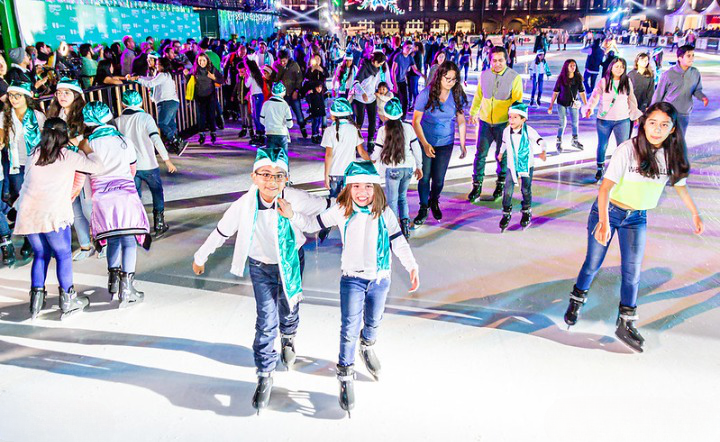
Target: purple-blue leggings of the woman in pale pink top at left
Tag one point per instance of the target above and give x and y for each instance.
(45, 246)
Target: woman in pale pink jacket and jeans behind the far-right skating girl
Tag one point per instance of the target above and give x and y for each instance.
(617, 108)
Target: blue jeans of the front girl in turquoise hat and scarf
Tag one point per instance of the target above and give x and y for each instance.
(362, 301)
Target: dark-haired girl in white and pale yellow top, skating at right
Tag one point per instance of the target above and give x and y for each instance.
(634, 182)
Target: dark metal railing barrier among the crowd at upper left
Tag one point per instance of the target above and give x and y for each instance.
(112, 96)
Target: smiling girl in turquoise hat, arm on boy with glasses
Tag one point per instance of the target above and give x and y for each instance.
(368, 227)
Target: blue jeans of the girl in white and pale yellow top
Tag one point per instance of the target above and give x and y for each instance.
(630, 226)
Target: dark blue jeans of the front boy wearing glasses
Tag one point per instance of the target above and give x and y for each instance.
(273, 311)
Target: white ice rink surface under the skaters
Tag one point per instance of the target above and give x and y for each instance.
(479, 353)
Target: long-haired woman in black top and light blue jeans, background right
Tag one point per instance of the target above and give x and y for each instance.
(568, 90)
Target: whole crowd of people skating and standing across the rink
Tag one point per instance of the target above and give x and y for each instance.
(98, 160)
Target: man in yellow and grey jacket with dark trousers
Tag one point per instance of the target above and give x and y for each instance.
(498, 89)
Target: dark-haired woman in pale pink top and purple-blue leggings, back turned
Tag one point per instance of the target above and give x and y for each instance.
(45, 212)
